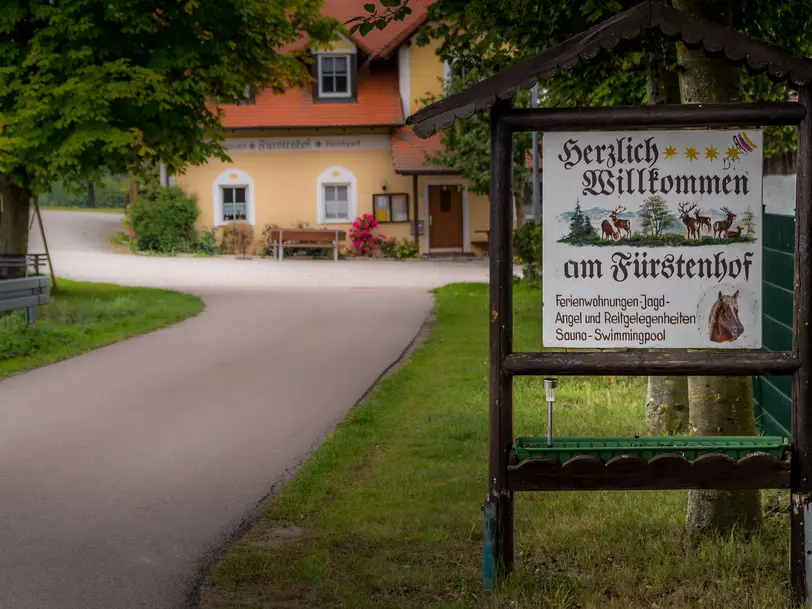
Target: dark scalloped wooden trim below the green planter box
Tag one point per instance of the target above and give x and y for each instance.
(665, 471)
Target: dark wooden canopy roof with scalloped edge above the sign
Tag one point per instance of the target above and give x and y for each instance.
(757, 57)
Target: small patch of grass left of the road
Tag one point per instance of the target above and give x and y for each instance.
(84, 316)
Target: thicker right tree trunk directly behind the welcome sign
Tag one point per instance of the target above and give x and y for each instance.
(719, 406)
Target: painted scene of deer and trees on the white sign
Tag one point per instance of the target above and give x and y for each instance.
(655, 224)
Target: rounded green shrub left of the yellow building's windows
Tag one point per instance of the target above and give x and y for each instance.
(164, 220)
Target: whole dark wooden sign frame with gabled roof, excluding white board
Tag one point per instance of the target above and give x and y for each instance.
(664, 471)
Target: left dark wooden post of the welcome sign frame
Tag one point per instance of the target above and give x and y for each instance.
(501, 339)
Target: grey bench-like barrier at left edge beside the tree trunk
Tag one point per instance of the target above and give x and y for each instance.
(25, 292)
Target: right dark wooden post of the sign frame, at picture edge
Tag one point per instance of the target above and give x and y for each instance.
(801, 480)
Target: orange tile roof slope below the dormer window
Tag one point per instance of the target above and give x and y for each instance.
(378, 104)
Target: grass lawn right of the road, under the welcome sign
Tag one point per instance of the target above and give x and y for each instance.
(386, 513)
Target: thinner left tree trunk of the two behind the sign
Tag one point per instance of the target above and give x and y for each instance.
(667, 399)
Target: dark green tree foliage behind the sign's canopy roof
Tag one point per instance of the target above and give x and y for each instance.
(491, 35)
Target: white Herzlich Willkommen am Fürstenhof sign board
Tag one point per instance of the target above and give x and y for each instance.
(652, 239)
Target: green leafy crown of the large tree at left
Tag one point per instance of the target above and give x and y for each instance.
(90, 87)
